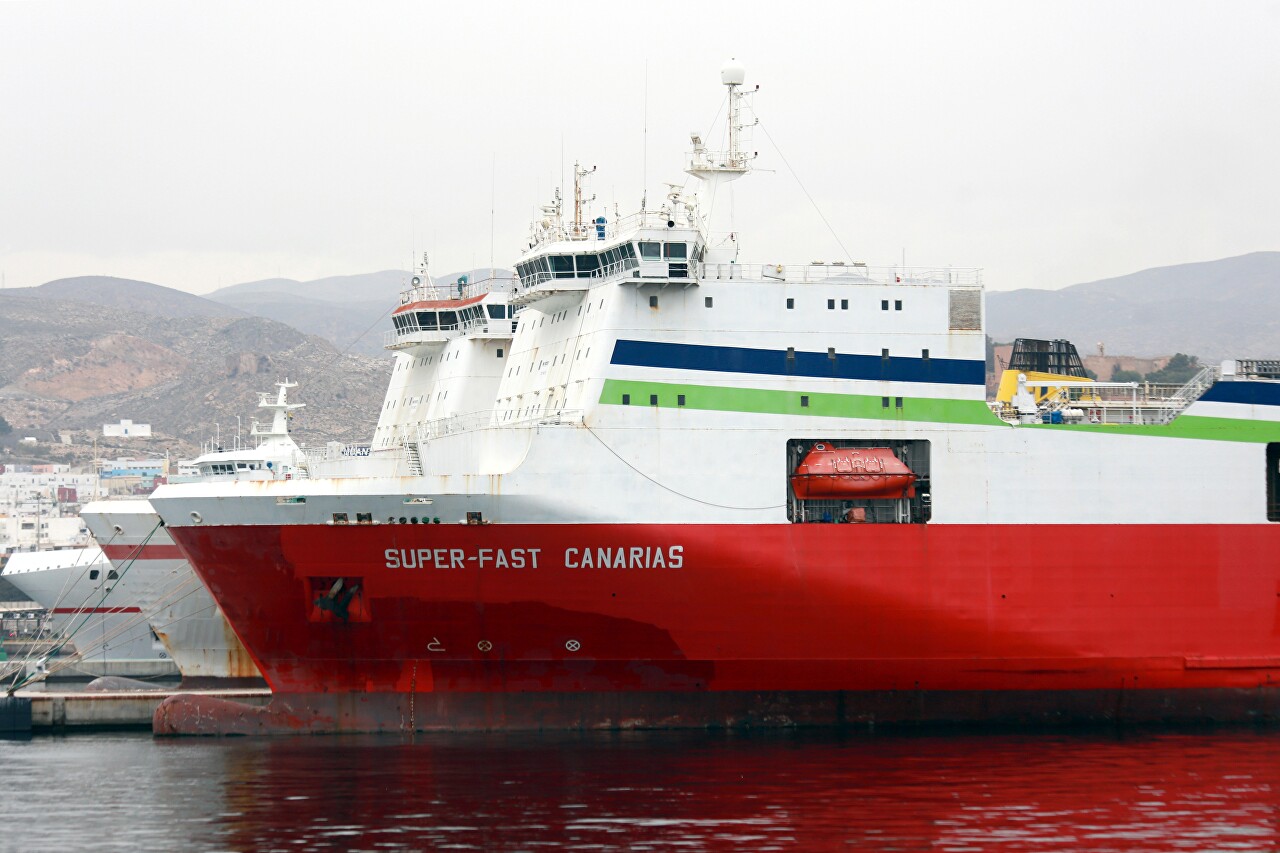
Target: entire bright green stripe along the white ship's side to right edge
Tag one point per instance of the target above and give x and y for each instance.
(915, 409)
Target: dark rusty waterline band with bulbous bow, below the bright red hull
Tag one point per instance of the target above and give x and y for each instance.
(191, 715)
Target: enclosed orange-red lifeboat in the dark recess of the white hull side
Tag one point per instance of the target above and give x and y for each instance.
(830, 472)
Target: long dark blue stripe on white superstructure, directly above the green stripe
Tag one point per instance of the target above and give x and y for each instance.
(775, 363)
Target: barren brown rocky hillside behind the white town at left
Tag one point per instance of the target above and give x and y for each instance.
(72, 364)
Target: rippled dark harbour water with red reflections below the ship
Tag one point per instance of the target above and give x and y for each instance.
(644, 791)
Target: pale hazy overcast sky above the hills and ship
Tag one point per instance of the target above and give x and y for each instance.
(205, 144)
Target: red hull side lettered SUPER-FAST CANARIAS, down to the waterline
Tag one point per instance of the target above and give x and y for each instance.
(715, 624)
